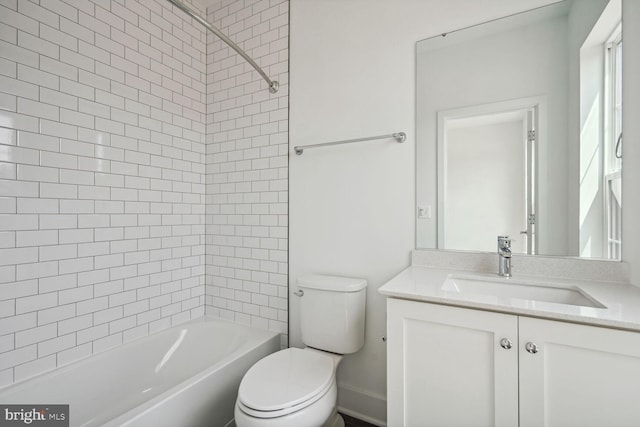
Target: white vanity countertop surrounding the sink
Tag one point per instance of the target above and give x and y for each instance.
(621, 301)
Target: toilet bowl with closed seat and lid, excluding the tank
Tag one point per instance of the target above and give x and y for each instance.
(290, 388)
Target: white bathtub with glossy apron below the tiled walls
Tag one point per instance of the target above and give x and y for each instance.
(184, 376)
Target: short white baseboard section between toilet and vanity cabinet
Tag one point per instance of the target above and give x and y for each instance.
(362, 404)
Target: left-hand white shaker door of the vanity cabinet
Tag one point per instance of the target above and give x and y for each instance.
(446, 367)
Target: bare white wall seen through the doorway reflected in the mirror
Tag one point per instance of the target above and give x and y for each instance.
(485, 186)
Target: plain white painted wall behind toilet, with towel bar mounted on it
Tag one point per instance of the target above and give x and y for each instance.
(352, 207)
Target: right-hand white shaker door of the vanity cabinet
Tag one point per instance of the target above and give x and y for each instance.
(580, 375)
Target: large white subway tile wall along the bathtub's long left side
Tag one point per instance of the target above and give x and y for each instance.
(102, 177)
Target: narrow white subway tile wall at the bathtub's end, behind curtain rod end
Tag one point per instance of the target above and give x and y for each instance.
(247, 166)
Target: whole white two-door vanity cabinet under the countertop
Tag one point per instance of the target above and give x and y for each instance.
(451, 366)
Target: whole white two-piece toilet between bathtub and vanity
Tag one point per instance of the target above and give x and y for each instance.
(297, 387)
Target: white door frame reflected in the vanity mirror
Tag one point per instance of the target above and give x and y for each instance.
(534, 110)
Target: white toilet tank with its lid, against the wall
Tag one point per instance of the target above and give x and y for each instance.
(332, 312)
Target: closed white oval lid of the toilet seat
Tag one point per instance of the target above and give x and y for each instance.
(285, 379)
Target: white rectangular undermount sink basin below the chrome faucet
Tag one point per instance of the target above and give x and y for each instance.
(510, 288)
